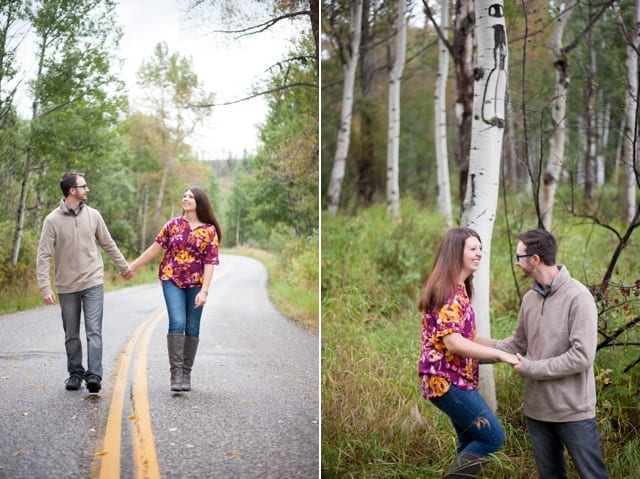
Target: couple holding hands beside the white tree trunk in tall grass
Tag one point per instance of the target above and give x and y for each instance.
(556, 332)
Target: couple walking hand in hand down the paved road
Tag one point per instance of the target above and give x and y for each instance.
(71, 235)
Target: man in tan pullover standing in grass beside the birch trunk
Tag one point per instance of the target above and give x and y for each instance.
(557, 331)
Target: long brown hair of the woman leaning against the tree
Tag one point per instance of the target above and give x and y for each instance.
(443, 279)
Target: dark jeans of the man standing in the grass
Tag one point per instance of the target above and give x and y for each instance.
(581, 439)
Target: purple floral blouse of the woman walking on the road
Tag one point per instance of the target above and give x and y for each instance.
(187, 251)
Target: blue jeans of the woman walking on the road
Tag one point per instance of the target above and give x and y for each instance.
(184, 317)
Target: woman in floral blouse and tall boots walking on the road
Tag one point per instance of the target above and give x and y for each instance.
(191, 244)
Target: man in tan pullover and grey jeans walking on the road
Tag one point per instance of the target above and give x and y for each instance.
(71, 235)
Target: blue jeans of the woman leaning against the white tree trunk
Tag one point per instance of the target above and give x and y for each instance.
(479, 431)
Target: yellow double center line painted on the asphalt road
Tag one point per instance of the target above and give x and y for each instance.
(106, 463)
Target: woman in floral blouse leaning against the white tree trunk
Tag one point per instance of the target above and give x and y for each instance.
(448, 364)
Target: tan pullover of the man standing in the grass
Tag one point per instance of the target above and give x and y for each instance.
(558, 334)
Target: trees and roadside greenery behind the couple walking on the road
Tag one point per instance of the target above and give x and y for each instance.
(138, 162)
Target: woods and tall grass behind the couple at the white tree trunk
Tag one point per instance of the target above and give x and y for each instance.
(374, 262)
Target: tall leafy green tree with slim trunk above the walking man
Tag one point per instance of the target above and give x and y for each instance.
(72, 111)
